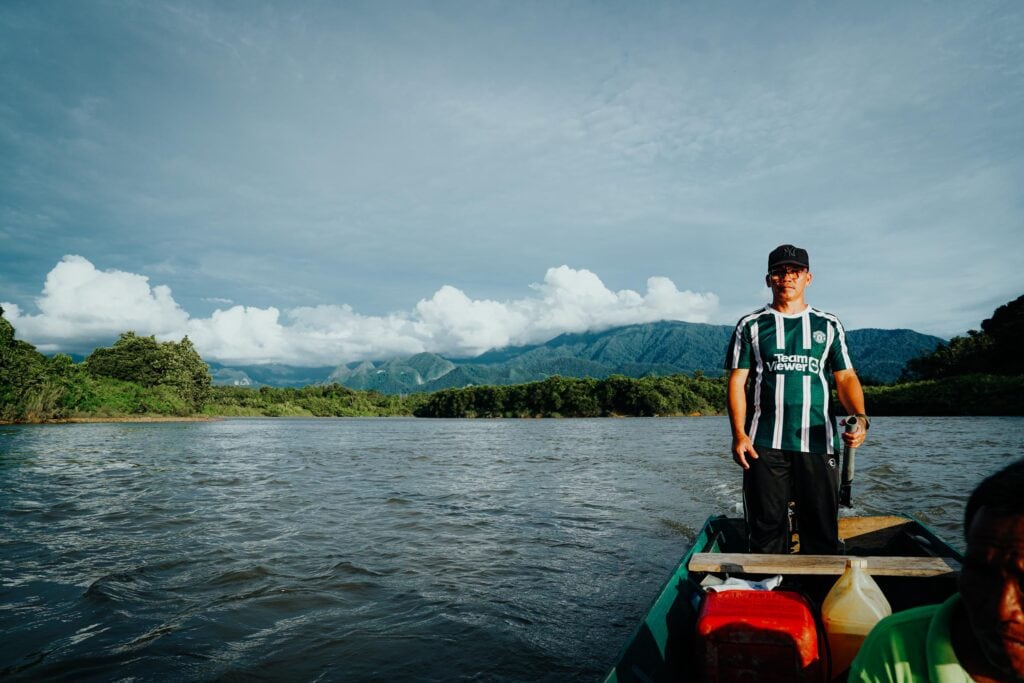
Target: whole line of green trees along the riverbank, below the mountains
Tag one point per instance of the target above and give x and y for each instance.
(976, 374)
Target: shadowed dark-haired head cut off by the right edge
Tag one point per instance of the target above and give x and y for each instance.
(993, 579)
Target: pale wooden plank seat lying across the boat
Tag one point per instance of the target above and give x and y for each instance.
(821, 565)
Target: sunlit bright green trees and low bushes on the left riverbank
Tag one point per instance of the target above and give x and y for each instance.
(140, 377)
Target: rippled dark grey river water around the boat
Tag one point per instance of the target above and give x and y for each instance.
(388, 549)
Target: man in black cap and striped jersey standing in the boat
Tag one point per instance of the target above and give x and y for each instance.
(782, 414)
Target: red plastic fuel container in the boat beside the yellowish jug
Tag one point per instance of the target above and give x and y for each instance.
(758, 636)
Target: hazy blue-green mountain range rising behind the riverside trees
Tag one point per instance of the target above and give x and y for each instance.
(635, 351)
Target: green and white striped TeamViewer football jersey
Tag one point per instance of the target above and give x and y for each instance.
(791, 358)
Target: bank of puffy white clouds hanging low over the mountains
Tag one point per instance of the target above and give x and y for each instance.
(82, 307)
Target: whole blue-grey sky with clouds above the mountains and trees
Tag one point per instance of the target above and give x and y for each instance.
(320, 183)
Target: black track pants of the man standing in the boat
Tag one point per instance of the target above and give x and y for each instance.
(812, 480)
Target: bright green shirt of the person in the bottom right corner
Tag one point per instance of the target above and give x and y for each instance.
(911, 647)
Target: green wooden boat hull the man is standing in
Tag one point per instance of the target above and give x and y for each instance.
(911, 564)
